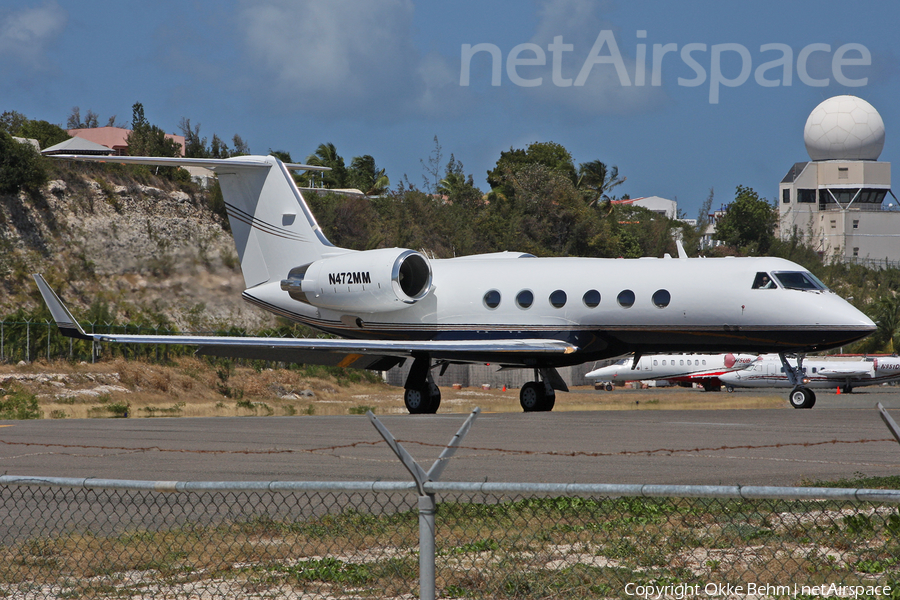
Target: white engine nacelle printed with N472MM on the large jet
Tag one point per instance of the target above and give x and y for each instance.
(370, 281)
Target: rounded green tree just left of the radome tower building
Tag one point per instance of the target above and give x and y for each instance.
(748, 223)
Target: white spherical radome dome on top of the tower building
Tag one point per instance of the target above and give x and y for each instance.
(844, 128)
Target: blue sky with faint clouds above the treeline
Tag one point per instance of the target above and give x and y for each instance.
(383, 77)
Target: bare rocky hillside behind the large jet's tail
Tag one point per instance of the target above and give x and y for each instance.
(122, 244)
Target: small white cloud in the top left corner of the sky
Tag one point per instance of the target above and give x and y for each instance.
(26, 35)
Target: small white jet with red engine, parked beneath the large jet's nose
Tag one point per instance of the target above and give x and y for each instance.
(704, 369)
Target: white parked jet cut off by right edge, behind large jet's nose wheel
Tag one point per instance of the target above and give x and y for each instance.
(768, 372)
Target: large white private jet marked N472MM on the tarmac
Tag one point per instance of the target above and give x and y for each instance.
(510, 309)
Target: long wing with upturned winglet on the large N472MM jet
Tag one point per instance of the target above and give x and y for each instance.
(361, 354)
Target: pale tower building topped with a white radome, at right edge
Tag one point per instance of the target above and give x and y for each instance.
(841, 201)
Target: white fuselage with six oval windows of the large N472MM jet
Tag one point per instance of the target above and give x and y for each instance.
(710, 306)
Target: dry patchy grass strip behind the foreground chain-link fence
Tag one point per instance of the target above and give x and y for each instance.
(570, 547)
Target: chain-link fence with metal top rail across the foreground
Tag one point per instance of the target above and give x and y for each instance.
(65, 538)
